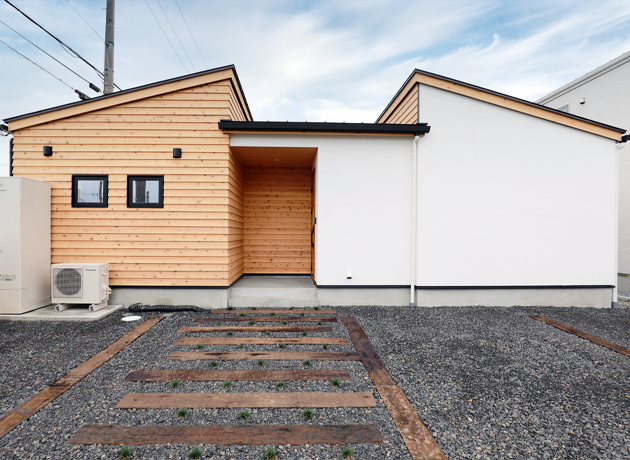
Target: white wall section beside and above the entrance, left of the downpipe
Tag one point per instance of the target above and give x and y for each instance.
(362, 206)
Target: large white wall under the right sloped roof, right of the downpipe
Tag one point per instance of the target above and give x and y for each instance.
(507, 199)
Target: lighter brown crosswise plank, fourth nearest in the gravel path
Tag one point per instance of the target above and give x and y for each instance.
(268, 355)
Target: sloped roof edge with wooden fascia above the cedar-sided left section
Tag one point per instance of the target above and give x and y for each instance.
(133, 94)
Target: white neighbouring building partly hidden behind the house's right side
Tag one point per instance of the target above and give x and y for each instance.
(604, 95)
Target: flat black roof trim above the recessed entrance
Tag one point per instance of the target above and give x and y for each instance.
(324, 127)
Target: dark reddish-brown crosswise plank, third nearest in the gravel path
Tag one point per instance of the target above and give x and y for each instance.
(210, 375)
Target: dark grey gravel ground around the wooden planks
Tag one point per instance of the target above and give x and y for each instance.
(488, 382)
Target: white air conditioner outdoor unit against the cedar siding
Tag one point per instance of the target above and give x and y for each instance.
(73, 284)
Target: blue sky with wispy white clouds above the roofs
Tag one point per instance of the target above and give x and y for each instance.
(318, 60)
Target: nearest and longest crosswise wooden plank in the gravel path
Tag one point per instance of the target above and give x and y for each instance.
(229, 435)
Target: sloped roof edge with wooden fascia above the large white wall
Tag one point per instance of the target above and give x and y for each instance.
(503, 100)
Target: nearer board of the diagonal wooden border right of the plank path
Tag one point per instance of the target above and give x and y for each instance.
(417, 437)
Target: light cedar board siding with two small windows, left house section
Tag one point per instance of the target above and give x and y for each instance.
(195, 239)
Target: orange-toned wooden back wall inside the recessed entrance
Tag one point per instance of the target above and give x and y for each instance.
(277, 223)
